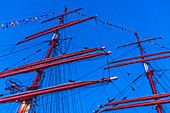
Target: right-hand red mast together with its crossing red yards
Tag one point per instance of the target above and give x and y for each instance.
(149, 74)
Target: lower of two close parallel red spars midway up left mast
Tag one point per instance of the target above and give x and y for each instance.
(52, 64)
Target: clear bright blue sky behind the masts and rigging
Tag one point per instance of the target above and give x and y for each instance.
(150, 18)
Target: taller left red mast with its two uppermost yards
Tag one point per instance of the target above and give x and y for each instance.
(53, 42)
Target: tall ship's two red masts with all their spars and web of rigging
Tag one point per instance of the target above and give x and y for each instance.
(55, 69)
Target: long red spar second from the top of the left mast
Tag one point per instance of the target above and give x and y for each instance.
(55, 29)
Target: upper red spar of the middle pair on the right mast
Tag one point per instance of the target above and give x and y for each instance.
(140, 57)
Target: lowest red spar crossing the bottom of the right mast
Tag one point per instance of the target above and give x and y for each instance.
(136, 105)
